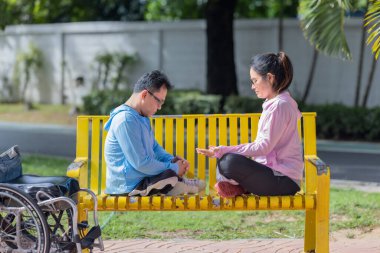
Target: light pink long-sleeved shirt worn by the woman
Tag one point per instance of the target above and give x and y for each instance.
(277, 144)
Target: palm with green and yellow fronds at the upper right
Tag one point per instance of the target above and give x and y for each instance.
(323, 26)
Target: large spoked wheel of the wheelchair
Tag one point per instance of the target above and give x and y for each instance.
(23, 226)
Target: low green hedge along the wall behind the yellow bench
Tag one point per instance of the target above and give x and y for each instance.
(334, 121)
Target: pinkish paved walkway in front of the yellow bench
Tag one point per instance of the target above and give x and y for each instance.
(368, 245)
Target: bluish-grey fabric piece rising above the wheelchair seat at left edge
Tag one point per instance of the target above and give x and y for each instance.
(10, 165)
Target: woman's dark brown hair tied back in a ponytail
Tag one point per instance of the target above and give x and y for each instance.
(278, 65)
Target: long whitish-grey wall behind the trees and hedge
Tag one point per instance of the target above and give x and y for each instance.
(179, 49)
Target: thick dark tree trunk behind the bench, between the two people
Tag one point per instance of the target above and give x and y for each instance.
(221, 74)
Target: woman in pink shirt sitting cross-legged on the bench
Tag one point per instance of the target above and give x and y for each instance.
(272, 164)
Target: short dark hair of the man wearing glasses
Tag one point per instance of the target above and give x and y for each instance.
(152, 81)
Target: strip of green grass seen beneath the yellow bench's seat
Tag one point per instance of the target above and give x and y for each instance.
(202, 225)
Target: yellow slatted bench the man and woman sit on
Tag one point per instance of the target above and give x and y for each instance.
(180, 135)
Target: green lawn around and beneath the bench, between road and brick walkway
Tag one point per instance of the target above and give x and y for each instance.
(349, 209)
